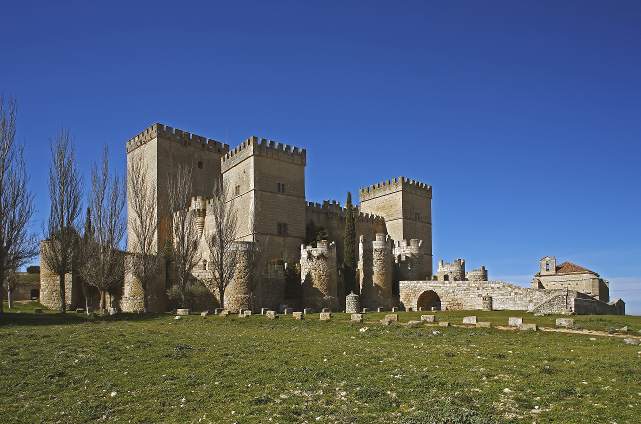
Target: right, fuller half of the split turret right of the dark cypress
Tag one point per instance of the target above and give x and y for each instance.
(382, 273)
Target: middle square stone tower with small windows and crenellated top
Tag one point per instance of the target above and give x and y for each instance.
(266, 182)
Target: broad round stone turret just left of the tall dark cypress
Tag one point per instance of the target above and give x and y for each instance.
(319, 275)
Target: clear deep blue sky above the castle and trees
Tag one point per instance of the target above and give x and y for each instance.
(525, 116)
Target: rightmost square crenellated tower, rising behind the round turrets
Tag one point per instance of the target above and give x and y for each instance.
(406, 206)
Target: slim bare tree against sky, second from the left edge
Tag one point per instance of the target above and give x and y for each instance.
(65, 194)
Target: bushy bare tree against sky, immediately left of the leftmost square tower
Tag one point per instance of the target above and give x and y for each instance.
(103, 265)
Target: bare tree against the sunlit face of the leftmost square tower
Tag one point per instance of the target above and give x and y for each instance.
(143, 225)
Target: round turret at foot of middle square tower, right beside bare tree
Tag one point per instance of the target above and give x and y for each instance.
(238, 294)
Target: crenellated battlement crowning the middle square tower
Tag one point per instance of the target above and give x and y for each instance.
(254, 146)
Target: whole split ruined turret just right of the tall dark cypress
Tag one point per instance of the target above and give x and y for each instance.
(376, 272)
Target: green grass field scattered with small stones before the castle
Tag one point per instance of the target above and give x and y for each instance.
(65, 369)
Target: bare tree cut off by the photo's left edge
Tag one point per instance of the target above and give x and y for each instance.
(17, 244)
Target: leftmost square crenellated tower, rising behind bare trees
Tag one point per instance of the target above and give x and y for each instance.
(163, 149)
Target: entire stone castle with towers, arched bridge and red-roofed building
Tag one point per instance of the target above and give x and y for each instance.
(393, 221)
